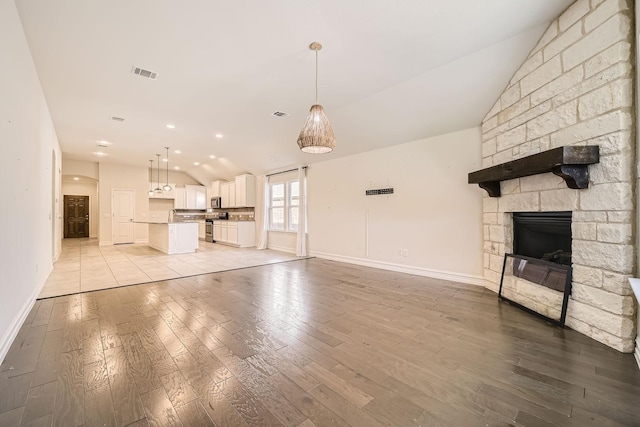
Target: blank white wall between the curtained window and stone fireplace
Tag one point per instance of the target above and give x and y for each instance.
(433, 214)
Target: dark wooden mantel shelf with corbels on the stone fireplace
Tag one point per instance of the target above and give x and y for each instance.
(569, 162)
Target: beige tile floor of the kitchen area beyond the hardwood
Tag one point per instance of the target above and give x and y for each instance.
(84, 266)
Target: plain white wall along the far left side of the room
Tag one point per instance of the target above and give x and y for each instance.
(30, 218)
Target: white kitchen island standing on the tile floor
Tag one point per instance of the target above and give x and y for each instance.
(174, 237)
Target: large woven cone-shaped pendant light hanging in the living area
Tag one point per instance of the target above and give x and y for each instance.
(316, 136)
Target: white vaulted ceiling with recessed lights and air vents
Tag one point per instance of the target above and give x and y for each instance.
(389, 72)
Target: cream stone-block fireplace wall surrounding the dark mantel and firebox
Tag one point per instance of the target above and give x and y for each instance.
(574, 89)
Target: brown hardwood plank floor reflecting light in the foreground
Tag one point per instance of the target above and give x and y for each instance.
(304, 343)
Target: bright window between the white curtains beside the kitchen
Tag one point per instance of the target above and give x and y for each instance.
(284, 206)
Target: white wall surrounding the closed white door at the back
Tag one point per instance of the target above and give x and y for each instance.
(122, 177)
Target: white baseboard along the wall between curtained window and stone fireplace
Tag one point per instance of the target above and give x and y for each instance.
(400, 268)
